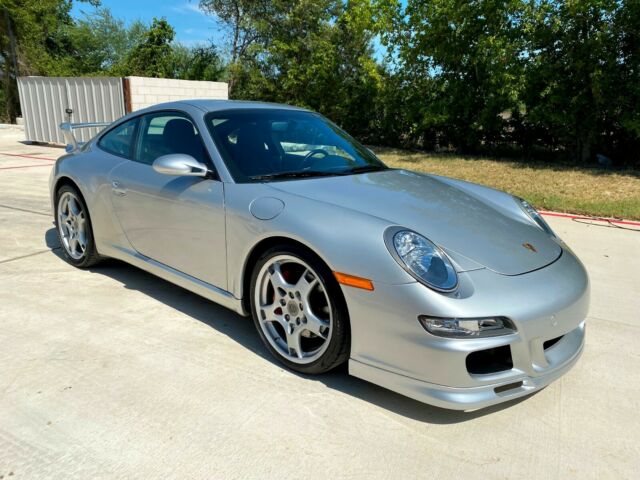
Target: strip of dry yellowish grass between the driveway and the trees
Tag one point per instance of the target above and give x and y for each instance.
(589, 191)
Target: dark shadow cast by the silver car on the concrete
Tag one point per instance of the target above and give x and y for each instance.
(242, 330)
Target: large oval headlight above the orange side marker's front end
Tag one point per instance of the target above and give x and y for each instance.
(422, 259)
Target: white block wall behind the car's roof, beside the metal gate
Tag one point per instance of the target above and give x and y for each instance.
(150, 91)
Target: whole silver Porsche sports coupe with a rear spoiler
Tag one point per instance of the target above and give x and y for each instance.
(448, 292)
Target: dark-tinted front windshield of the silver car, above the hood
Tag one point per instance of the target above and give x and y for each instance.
(275, 144)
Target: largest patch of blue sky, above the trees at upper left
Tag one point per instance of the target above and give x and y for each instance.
(191, 25)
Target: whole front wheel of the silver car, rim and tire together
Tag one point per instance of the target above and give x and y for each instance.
(299, 310)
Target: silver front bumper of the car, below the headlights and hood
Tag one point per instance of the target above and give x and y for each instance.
(390, 348)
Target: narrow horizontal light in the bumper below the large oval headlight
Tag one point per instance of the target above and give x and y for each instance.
(467, 327)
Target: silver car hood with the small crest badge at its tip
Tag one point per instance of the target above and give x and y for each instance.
(447, 215)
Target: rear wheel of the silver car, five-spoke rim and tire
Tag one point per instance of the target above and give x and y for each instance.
(73, 226)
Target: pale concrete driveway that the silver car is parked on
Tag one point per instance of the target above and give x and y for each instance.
(114, 373)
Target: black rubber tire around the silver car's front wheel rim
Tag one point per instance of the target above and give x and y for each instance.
(337, 351)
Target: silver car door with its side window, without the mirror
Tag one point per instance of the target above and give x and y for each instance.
(175, 220)
